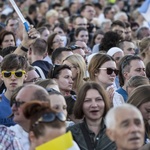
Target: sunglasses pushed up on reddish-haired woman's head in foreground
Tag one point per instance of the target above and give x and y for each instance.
(50, 117)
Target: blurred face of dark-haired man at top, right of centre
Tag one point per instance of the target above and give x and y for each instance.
(89, 13)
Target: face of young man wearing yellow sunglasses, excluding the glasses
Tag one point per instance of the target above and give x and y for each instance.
(13, 81)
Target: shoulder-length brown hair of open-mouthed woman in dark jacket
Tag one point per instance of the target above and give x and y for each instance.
(78, 108)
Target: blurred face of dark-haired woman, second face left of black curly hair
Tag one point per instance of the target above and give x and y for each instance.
(83, 36)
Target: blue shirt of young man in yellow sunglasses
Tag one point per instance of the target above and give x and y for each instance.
(5, 112)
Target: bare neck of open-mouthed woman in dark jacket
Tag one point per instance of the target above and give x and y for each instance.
(94, 125)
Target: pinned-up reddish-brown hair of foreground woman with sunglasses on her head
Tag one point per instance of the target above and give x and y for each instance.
(34, 110)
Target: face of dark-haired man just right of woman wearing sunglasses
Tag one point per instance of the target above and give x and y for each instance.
(137, 68)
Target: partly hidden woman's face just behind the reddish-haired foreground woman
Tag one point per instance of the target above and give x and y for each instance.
(58, 102)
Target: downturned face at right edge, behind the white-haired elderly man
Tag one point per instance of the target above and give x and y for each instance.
(145, 110)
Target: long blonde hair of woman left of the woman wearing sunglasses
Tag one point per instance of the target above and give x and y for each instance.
(77, 61)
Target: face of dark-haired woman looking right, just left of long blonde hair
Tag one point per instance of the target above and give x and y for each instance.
(64, 80)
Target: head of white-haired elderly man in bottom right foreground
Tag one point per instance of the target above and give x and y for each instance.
(125, 127)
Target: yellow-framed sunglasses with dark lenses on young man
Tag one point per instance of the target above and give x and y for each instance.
(18, 74)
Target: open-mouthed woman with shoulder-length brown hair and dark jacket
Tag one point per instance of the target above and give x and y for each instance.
(91, 106)
